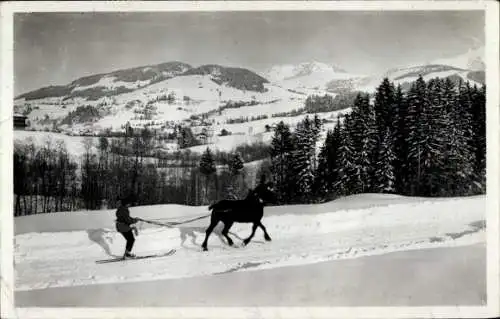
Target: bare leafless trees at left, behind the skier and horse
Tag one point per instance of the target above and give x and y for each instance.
(47, 179)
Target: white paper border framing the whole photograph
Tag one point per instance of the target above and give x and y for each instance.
(8, 309)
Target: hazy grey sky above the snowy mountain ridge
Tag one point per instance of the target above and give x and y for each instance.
(57, 48)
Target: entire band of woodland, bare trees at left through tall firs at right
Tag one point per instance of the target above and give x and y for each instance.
(427, 141)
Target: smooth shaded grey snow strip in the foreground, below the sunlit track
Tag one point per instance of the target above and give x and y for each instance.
(366, 281)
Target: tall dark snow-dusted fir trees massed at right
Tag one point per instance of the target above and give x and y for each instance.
(429, 141)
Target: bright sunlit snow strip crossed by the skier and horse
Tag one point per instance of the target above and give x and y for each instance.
(58, 259)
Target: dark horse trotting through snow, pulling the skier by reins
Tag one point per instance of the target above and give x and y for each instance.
(248, 210)
